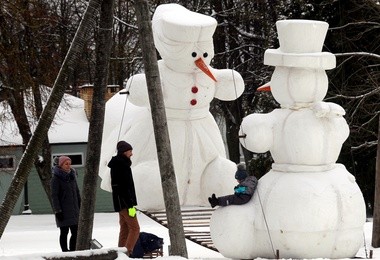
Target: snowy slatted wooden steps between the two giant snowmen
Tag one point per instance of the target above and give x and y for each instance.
(196, 224)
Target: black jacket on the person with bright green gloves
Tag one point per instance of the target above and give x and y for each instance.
(123, 187)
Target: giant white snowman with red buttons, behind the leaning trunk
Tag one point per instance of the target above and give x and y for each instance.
(184, 41)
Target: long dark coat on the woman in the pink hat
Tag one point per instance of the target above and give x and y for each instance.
(65, 196)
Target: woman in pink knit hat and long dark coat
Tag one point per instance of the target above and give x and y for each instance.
(66, 201)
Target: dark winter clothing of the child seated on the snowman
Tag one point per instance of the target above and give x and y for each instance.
(242, 193)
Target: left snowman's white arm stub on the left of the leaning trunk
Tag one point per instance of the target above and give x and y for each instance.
(138, 91)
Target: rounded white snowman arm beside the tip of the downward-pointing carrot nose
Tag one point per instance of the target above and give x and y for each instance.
(229, 85)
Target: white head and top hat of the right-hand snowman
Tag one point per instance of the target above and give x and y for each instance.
(299, 79)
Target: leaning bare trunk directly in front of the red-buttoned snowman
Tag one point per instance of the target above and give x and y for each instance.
(165, 160)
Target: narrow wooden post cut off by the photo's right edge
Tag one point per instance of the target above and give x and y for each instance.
(376, 208)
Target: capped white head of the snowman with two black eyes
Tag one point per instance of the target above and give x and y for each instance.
(183, 37)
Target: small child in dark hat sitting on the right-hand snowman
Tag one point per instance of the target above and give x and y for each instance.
(242, 192)
